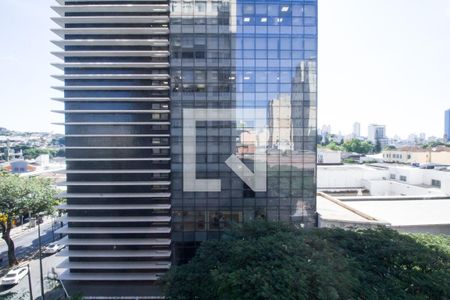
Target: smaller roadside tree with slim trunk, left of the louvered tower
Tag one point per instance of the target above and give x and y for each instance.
(19, 196)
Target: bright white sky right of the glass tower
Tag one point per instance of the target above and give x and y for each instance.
(384, 62)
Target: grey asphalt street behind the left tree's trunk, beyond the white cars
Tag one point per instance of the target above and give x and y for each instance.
(27, 243)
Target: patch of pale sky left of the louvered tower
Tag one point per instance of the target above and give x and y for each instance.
(25, 70)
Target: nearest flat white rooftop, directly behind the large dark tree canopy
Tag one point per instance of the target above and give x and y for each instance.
(409, 214)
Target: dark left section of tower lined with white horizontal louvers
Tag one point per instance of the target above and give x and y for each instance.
(114, 60)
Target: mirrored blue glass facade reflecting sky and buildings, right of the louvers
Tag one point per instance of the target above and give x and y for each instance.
(243, 55)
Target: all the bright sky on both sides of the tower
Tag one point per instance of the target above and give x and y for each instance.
(380, 61)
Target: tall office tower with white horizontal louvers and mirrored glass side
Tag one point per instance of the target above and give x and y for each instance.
(181, 117)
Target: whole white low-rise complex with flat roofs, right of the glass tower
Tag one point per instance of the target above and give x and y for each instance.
(404, 198)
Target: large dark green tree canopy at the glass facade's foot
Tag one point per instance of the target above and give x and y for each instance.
(273, 261)
